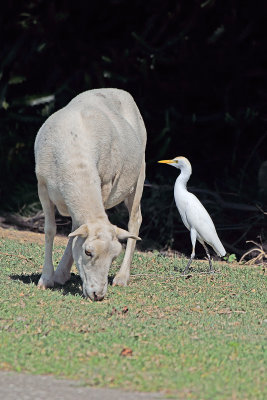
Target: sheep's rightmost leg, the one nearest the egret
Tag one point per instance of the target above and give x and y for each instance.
(135, 220)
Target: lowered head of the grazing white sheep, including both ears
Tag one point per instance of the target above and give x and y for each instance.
(94, 248)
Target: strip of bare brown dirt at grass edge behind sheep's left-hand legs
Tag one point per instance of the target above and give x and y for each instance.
(28, 236)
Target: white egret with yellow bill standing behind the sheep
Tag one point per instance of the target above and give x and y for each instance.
(193, 213)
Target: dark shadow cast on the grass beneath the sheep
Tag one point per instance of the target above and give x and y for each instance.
(73, 286)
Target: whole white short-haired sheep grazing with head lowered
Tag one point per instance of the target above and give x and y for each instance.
(90, 156)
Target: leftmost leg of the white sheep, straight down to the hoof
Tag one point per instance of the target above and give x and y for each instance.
(47, 277)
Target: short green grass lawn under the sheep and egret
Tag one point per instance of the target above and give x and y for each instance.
(196, 338)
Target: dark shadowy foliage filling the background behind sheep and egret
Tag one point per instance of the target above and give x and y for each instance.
(197, 70)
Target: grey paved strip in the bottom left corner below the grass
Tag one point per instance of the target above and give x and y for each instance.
(15, 386)
